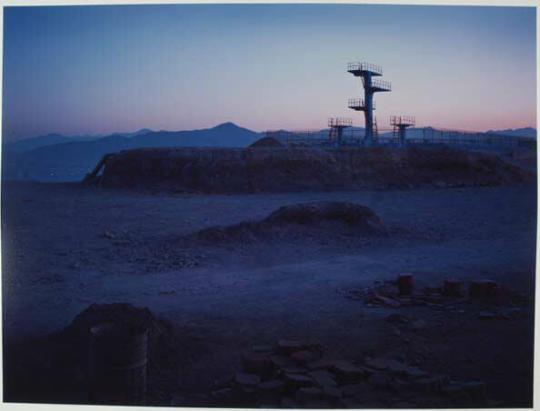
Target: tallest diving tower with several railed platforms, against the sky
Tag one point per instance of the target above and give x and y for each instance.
(367, 71)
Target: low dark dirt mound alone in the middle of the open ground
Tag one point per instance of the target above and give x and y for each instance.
(301, 220)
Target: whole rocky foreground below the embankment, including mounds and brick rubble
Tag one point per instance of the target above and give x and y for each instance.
(222, 281)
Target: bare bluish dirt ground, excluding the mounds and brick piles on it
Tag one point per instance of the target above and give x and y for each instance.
(65, 247)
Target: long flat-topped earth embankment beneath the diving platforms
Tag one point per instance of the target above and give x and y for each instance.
(282, 169)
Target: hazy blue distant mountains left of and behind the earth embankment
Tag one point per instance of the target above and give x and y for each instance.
(70, 160)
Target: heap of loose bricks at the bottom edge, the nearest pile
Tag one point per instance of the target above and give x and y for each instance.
(294, 374)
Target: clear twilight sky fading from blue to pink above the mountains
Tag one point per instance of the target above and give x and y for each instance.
(101, 69)
